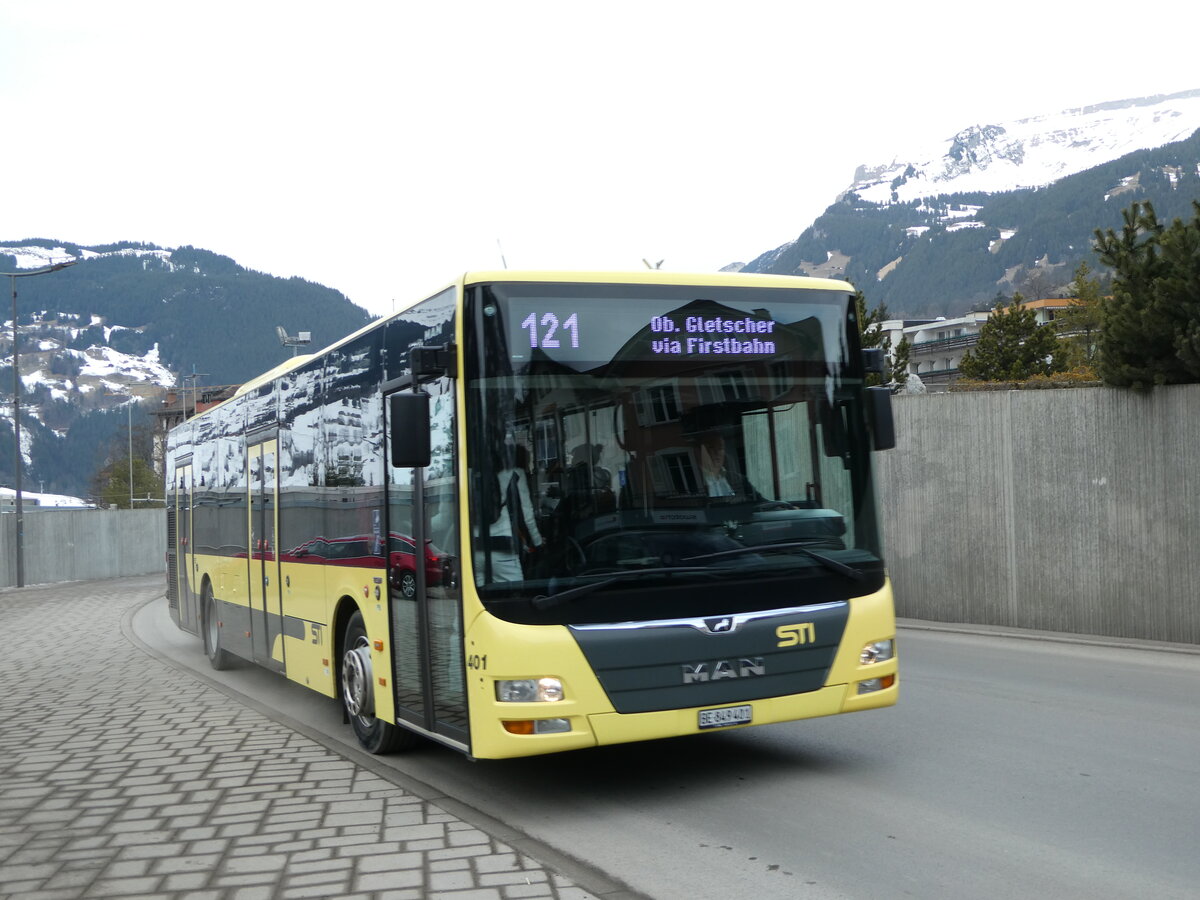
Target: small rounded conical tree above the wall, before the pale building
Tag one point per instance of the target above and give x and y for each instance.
(1013, 347)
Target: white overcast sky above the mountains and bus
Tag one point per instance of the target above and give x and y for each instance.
(385, 148)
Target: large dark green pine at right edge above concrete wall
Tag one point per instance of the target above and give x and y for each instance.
(1151, 325)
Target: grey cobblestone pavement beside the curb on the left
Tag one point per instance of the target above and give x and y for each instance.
(124, 777)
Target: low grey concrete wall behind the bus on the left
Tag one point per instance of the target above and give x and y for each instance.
(75, 545)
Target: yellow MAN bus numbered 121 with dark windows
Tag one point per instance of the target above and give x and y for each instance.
(542, 512)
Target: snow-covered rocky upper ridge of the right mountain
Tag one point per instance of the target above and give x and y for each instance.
(1031, 153)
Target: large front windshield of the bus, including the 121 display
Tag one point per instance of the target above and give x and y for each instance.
(652, 452)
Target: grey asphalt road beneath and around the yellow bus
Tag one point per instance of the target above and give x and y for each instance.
(1011, 769)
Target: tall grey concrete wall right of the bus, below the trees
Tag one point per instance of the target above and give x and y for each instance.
(1069, 511)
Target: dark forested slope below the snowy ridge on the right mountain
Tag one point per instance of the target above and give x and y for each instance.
(957, 253)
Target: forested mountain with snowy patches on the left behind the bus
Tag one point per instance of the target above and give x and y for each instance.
(103, 339)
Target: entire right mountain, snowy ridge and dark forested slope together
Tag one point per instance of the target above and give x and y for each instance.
(1003, 208)
